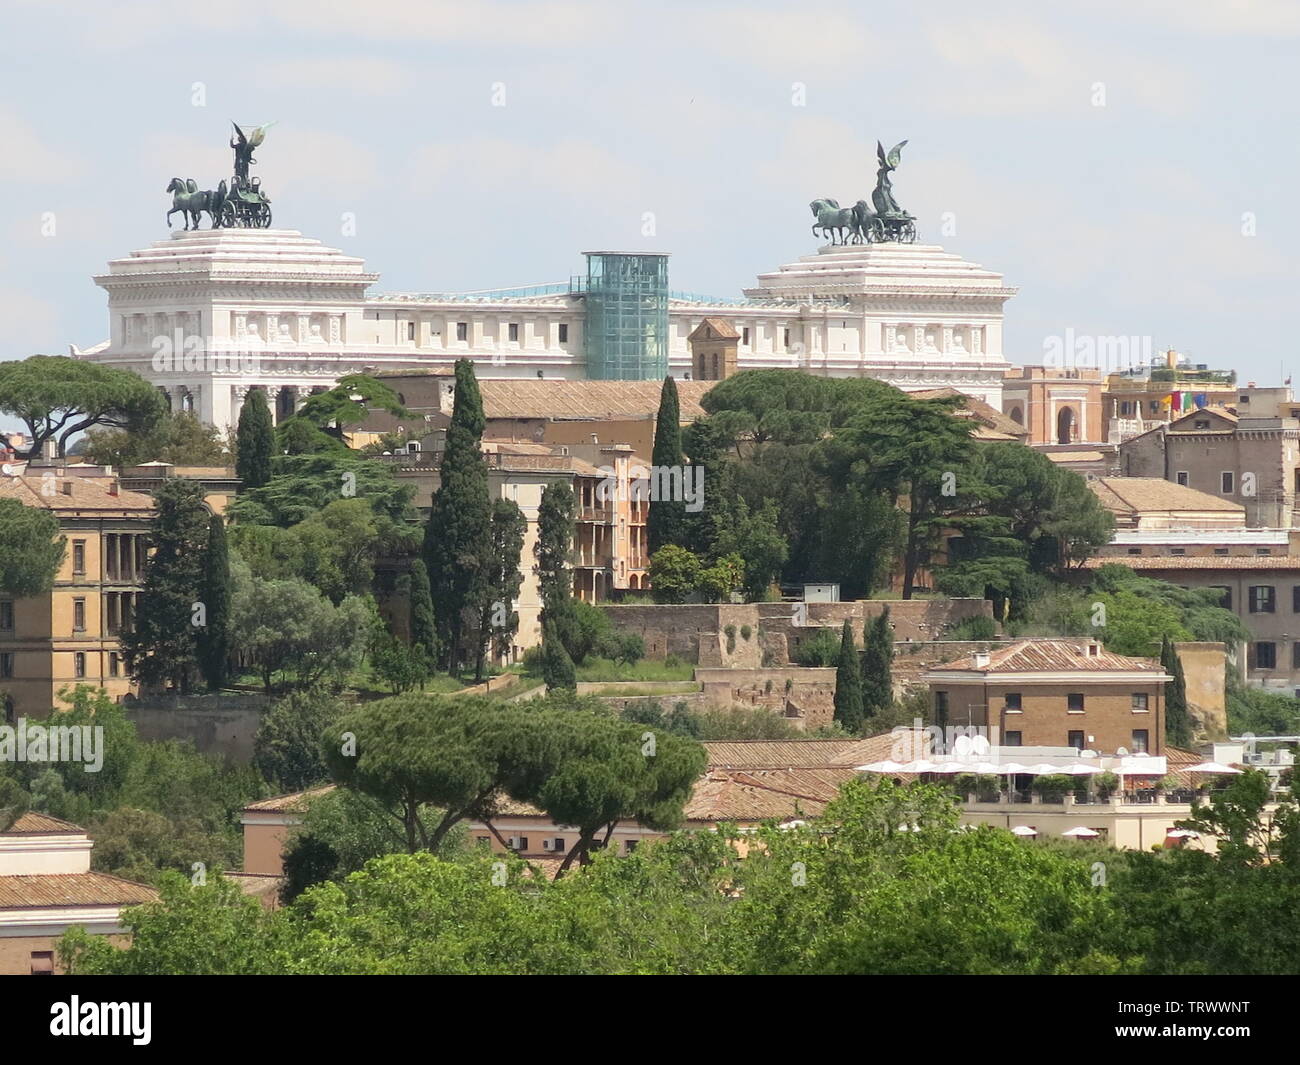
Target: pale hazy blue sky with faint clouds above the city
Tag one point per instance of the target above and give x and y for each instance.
(1117, 219)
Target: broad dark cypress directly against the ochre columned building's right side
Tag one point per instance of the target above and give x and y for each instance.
(163, 647)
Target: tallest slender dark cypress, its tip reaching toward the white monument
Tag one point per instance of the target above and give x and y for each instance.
(458, 539)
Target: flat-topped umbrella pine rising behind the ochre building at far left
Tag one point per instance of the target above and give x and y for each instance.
(58, 397)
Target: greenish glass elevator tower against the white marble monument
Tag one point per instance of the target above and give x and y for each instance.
(626, 335)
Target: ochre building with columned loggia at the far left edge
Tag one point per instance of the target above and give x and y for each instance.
(71, 637)
